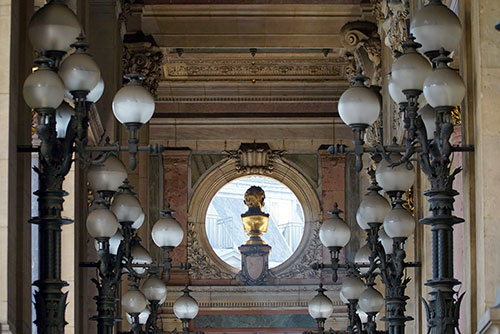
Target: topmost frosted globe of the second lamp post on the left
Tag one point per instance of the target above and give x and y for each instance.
(107, 177)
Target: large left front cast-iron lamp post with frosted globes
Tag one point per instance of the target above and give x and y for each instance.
(62, 131)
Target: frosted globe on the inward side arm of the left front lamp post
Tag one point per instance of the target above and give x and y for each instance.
(133, 104)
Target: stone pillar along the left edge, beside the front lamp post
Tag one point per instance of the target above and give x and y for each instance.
(15, 174)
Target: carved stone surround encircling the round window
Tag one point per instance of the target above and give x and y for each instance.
(208, 265)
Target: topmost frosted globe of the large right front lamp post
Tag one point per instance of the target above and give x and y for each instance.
(435, 26)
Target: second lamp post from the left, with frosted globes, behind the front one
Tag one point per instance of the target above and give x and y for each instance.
(116, 225)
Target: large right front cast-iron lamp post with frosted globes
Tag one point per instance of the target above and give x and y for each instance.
(427, 141)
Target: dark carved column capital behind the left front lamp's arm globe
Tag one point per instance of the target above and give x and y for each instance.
(145, 59)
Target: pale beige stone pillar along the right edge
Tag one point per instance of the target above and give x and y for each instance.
(483, 126)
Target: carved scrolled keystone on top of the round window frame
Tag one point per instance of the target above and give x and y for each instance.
(254, 158)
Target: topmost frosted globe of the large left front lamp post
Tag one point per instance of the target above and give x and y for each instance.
(54, 27)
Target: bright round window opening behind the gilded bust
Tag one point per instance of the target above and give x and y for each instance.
(225, 230)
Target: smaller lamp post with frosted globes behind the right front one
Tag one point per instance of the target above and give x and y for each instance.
(383, 253)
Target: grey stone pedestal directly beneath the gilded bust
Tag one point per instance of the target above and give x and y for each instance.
(254, 264)
